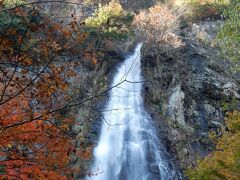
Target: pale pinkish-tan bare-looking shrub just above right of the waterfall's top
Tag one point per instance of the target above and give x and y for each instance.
(159, 25)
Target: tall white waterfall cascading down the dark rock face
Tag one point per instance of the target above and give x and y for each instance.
(128, 147)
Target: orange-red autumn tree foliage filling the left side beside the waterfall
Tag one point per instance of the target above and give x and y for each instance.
(36, 115)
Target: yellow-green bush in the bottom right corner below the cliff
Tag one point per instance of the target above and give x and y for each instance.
(224, 162)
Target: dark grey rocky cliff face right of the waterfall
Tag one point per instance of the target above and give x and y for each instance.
(187, 92)
